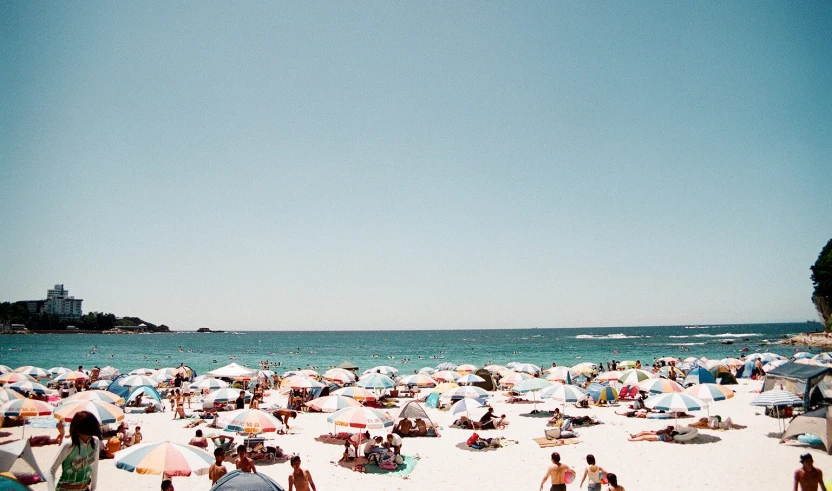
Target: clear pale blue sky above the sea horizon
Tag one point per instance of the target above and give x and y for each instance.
(356, 165)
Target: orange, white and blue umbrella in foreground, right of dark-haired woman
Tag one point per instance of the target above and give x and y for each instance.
(167, 458)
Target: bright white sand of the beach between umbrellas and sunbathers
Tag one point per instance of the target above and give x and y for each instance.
(749, 458)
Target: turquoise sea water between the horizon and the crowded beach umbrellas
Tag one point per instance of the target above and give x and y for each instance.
(405, 350)
